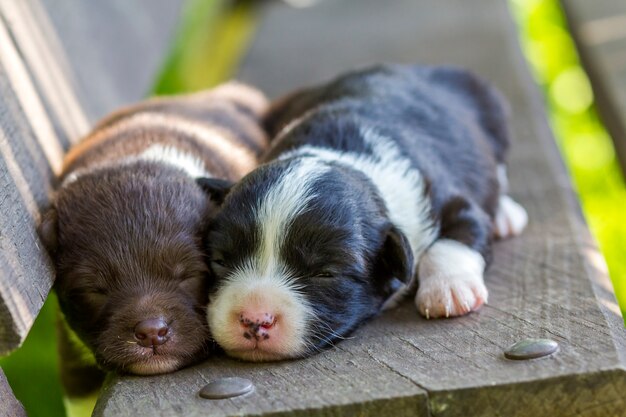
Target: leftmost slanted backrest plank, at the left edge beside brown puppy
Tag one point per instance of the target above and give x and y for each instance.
(25, 176)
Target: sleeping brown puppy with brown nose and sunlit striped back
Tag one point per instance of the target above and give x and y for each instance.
(125, 229)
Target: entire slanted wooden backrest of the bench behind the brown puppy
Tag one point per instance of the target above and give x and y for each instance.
(63, 64)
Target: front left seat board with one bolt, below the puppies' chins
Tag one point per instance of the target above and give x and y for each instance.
(335, 383)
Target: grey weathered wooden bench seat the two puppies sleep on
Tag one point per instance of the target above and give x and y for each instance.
(549, 283)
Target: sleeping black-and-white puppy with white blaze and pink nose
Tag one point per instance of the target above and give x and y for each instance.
(376, 177)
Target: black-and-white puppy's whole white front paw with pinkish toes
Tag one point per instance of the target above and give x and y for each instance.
(450, 280)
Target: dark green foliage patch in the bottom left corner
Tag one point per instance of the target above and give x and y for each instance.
(32, 370)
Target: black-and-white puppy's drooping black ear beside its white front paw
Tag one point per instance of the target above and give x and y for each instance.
(396, 257)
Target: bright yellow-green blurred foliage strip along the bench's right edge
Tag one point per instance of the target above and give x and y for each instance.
(584, 143)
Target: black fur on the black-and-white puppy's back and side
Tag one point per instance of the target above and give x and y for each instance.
(451, 124)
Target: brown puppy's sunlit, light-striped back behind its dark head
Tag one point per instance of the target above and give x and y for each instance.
(219, 129)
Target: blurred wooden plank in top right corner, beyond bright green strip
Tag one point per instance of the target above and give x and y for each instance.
(599, 29)
